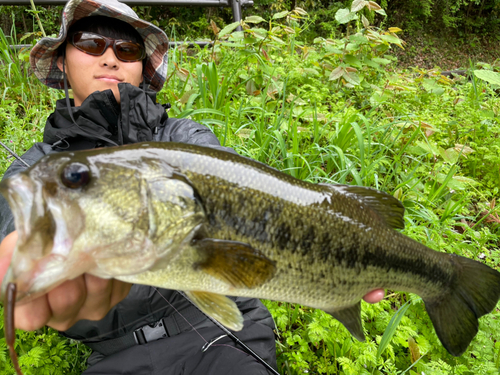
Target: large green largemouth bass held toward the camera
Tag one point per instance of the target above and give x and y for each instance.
(212, 224)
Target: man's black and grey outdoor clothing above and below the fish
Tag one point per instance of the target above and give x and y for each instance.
(101, 121)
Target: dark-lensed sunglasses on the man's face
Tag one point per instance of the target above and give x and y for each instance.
(96, 45)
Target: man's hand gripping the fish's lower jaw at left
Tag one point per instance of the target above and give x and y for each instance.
(85, 297)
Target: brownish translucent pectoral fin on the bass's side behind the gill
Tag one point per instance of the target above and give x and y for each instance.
(235, 263)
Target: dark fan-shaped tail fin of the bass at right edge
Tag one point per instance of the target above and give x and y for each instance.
(454, 315)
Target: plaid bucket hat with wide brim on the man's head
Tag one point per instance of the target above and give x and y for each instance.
(43, 56)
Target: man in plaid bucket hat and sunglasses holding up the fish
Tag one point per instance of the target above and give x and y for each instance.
(114, 63)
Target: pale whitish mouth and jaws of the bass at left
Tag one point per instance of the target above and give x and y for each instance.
(44, 236)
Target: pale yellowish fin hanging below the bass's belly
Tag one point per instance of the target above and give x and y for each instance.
(219, 307)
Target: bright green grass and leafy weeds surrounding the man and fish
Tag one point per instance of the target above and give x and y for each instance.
(321, 96)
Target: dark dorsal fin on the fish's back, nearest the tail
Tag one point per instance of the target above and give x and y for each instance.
(388, 208)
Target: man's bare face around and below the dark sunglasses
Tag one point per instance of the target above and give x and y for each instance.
(87, 73)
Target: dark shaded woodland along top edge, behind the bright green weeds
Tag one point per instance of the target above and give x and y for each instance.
(433, 27)
